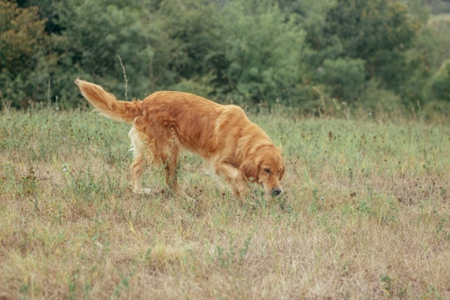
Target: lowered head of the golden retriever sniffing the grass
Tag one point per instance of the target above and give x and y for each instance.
(265, 167)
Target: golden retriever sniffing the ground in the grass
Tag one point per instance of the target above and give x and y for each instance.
(169, 122)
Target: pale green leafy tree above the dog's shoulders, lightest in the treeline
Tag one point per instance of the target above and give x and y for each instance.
(261, 52)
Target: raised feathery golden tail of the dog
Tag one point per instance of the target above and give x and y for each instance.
(107, 105)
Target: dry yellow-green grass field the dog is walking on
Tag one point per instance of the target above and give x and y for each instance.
(366, 215)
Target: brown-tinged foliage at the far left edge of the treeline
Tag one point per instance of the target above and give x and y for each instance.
(25, 55)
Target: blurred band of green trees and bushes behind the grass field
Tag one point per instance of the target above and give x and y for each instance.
(376, 54)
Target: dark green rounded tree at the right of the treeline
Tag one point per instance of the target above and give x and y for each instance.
(376, 31)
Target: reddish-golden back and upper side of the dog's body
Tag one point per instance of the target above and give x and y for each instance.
(196, 122)
